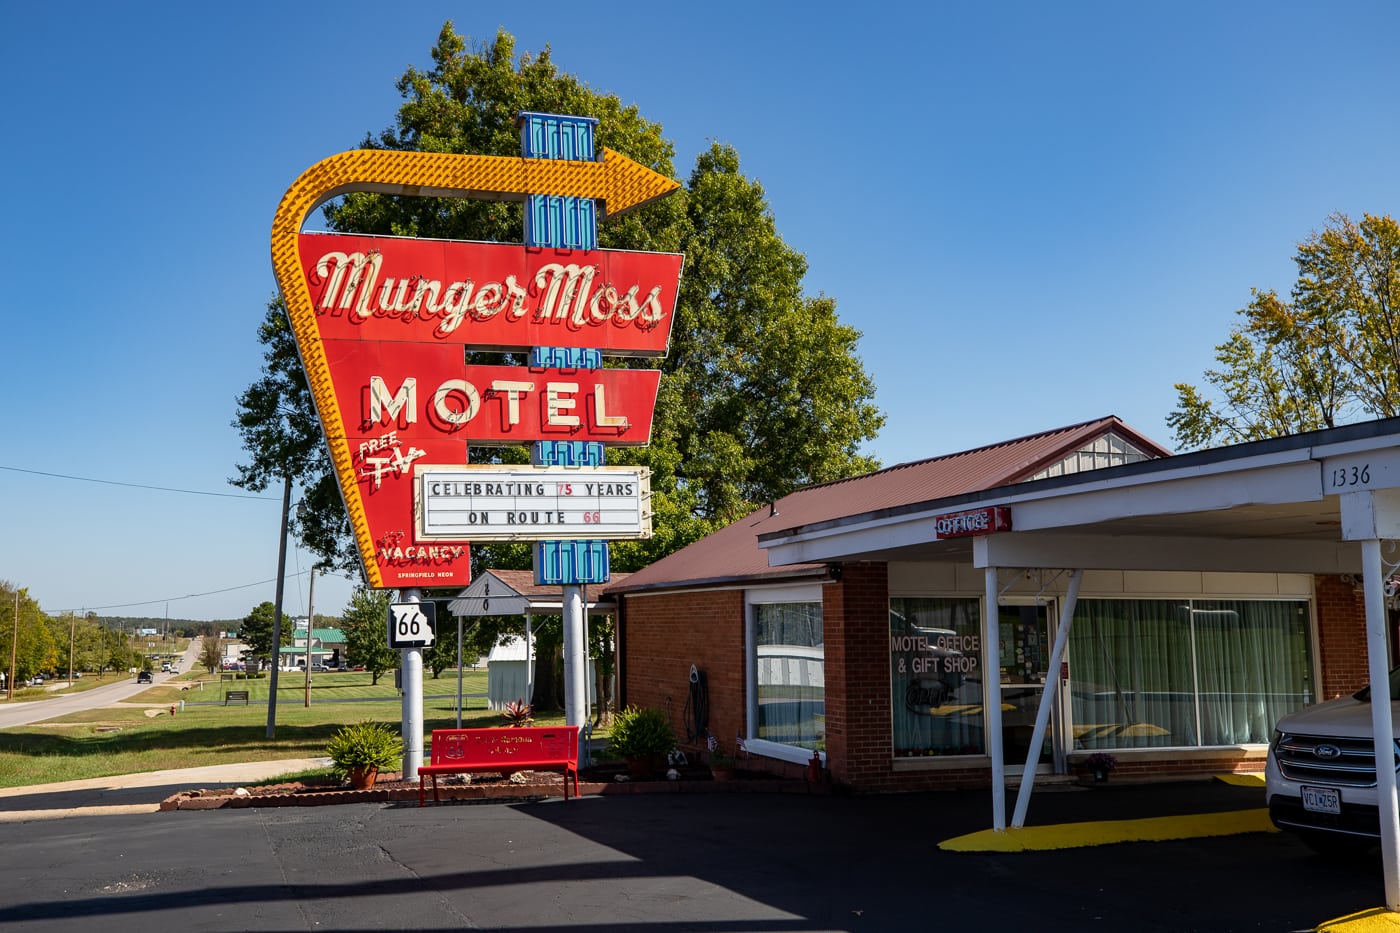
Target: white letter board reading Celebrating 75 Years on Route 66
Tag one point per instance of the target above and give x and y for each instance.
(533, 504)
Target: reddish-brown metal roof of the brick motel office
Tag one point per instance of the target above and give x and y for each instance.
(733, 553)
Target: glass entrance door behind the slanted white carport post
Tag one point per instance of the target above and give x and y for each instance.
(1024, 648)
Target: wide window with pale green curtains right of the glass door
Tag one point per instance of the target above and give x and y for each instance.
(1186, 673)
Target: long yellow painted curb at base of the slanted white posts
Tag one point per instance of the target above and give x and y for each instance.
(1074, 836)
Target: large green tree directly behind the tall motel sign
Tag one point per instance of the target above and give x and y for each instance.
(762, 390)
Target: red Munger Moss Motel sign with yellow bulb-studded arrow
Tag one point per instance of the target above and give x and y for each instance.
(383, 327)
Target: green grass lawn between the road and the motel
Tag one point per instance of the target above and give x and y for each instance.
(129, 739)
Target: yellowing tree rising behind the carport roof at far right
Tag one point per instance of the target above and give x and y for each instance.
(1329, 355)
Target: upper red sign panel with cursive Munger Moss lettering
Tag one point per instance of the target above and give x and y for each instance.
(491, 296)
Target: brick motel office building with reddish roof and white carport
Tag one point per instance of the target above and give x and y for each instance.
(1200, 597)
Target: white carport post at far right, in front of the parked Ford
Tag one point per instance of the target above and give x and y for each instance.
(1381, 718)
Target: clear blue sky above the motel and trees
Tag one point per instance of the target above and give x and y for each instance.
(1037, 215)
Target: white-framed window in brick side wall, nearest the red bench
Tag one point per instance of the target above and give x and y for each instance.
(792, 673)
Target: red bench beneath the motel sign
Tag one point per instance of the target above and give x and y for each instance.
(457, 752)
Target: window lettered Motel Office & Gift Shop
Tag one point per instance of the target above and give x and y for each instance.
(936, 676)
